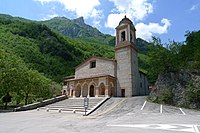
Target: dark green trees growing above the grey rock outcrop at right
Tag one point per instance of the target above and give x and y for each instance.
(175, 56)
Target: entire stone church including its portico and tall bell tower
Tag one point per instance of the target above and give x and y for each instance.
(97, 76)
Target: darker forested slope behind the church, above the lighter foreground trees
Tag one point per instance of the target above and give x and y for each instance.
(46, 51)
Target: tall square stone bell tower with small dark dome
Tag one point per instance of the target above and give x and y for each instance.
(127, 59)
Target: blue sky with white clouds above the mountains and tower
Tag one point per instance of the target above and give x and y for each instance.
(167, 19)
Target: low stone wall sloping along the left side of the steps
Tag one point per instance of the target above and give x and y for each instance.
(41, 104)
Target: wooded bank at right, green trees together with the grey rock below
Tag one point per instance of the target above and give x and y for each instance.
(175, 70)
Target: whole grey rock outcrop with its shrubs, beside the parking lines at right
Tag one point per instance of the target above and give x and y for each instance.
(177, 88)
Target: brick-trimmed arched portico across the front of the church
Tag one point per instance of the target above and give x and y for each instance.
(91, 87)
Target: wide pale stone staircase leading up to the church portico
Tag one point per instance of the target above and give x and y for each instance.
(76, 105)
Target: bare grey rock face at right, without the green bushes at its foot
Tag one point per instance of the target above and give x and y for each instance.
(176, 84)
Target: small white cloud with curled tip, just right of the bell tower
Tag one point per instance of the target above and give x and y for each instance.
(145, 31)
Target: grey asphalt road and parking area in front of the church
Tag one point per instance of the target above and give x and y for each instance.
(117, 115)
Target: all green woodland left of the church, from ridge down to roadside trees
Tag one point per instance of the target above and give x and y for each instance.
(30, 49)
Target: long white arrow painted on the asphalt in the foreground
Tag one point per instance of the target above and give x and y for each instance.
(171, 127)
